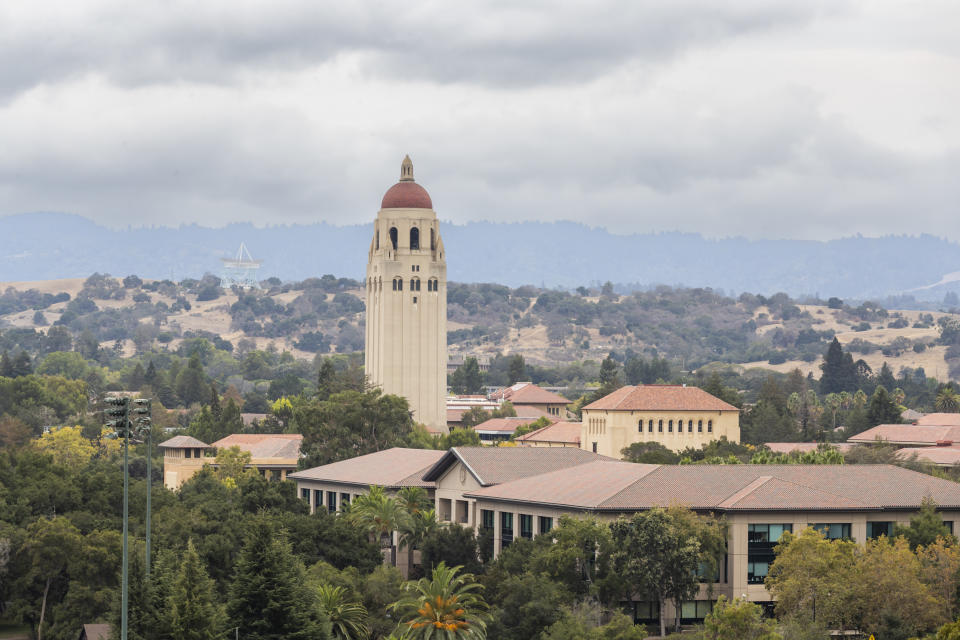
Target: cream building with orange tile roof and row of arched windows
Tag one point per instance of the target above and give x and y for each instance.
(676, 416)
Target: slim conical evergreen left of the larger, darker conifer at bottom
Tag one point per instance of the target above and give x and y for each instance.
(193, 604)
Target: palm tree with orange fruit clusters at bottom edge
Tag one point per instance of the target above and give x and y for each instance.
(446, 606)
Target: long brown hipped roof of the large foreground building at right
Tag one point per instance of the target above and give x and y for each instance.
(623, 486)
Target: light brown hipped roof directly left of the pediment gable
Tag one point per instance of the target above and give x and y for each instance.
(391, 468)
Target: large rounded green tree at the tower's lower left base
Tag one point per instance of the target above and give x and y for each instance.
(350, 424)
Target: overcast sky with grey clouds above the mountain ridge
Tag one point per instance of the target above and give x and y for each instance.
(743, 117)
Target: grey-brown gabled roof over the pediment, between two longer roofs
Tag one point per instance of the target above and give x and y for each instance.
(493, 465)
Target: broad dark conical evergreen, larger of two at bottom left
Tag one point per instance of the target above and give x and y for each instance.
(269, 598)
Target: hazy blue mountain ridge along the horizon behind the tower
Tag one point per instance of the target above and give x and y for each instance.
(40, 246)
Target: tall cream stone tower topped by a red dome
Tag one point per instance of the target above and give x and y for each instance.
(406, 339)
